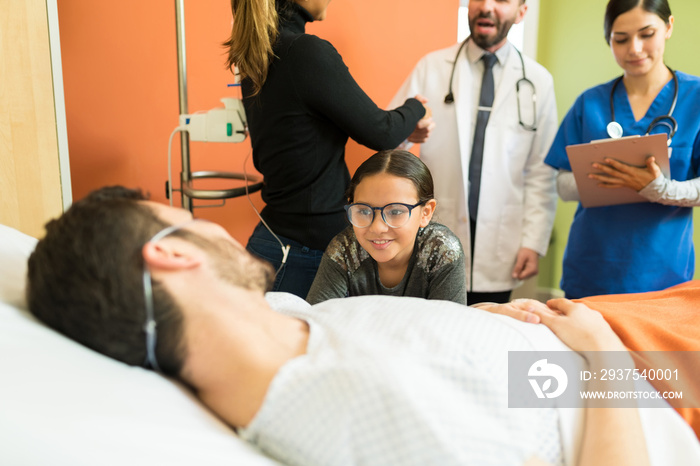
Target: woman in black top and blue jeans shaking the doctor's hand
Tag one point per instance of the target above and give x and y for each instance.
(302, 104)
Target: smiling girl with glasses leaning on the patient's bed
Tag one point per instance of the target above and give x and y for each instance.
(392, 247)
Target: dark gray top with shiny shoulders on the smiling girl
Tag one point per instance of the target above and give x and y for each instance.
(436, 269)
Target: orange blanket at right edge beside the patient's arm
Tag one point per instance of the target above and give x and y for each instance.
(663, 321)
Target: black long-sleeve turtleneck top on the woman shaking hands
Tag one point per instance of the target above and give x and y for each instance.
(299, 124)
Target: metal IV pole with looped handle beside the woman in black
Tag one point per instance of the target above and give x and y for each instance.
(187, 176)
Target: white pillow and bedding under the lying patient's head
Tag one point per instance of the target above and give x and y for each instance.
(62, 403)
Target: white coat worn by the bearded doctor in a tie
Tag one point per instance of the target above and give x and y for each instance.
(517, 201)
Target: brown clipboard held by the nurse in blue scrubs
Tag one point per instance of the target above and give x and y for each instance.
(632, 150)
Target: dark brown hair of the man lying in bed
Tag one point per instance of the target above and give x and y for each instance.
(85, 279)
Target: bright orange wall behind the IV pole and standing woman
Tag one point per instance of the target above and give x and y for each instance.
(120, 78)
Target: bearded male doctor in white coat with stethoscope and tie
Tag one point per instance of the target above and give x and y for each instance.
(493, 127)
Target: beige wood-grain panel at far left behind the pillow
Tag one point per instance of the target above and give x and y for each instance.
(30, 185)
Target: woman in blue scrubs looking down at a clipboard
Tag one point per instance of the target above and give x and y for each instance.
(634, 247)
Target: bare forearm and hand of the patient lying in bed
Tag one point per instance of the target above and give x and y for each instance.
(611, 435)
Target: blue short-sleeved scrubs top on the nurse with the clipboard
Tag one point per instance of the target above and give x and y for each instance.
(630, 248)
